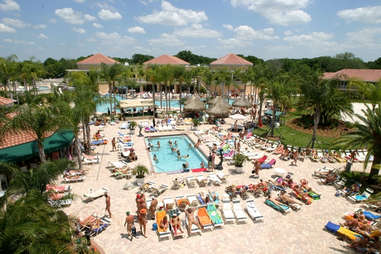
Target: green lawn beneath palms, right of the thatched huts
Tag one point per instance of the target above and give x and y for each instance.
(293, 137)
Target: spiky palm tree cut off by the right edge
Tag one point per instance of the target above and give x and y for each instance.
(367, 134)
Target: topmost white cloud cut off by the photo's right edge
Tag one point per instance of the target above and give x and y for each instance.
(371, 14)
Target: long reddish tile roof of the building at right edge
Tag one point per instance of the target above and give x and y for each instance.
(368, 75)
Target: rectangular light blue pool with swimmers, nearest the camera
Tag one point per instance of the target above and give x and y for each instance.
(167, 160)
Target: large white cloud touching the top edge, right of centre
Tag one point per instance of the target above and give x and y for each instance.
(281, 12)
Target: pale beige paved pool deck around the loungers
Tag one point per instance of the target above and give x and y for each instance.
(297, 232)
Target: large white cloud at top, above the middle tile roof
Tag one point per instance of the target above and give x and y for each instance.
(170, 15)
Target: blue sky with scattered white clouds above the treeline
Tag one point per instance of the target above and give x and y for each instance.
(120, 28)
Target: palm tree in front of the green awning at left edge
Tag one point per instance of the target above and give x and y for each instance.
(40, 120)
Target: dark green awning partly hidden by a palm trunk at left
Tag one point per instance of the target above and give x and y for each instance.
(29, 150)
